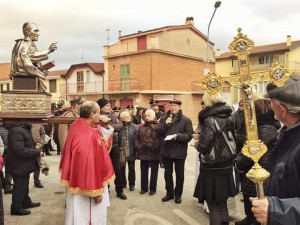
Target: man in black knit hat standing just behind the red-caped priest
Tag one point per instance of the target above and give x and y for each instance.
(117, 125)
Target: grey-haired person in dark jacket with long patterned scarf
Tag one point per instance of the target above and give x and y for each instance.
(127, 149)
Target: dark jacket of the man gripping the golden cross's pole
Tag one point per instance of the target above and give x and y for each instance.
(284, 183)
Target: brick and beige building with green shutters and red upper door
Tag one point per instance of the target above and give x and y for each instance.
(160, 64)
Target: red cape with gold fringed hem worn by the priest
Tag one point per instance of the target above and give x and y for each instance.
(85, 164)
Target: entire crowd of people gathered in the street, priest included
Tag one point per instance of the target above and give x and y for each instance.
(107, 142)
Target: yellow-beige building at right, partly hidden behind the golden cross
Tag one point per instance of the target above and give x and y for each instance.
(261, 59)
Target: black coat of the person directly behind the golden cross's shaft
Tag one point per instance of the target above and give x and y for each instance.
(267, 133)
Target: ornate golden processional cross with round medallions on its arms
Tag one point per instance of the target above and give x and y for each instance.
(254, 148)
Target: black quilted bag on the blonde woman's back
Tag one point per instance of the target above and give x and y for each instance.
(223, 147)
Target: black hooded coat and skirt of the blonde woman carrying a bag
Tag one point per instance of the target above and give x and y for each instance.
(215, 182)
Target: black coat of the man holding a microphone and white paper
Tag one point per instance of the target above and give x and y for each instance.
(182, 126)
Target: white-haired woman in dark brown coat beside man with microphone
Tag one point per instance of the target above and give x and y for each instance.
(147, 143)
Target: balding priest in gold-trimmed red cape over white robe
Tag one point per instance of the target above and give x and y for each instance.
(86, 169)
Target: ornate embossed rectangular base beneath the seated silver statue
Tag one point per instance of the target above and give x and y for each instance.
(25, 106)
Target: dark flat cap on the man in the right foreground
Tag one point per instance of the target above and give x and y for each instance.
(289, 92)
